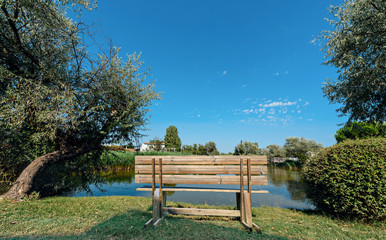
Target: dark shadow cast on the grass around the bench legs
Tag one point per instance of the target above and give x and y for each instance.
(130, 225)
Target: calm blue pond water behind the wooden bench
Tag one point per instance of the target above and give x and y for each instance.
(286, 190)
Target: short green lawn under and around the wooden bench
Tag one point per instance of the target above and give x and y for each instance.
(124, 217)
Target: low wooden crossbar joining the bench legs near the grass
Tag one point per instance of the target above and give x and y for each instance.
(206, 212)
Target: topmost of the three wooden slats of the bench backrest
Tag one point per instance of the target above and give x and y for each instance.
(202, 160)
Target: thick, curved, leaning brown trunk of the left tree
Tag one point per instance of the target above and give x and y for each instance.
(23, 184)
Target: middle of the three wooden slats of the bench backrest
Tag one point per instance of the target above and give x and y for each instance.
(199, 169)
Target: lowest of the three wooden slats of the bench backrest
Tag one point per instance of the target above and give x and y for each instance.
(201, 179)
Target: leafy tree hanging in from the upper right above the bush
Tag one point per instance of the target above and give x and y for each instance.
(357, 47)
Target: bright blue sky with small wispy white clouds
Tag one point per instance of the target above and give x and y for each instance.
(229, 70)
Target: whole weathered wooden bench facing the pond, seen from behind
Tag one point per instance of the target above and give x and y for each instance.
(244, 171)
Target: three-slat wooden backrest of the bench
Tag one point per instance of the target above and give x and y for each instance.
(201, 169)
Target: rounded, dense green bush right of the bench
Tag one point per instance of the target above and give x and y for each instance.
(349, 179)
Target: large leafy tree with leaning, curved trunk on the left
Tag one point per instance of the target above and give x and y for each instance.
(55, 92)
